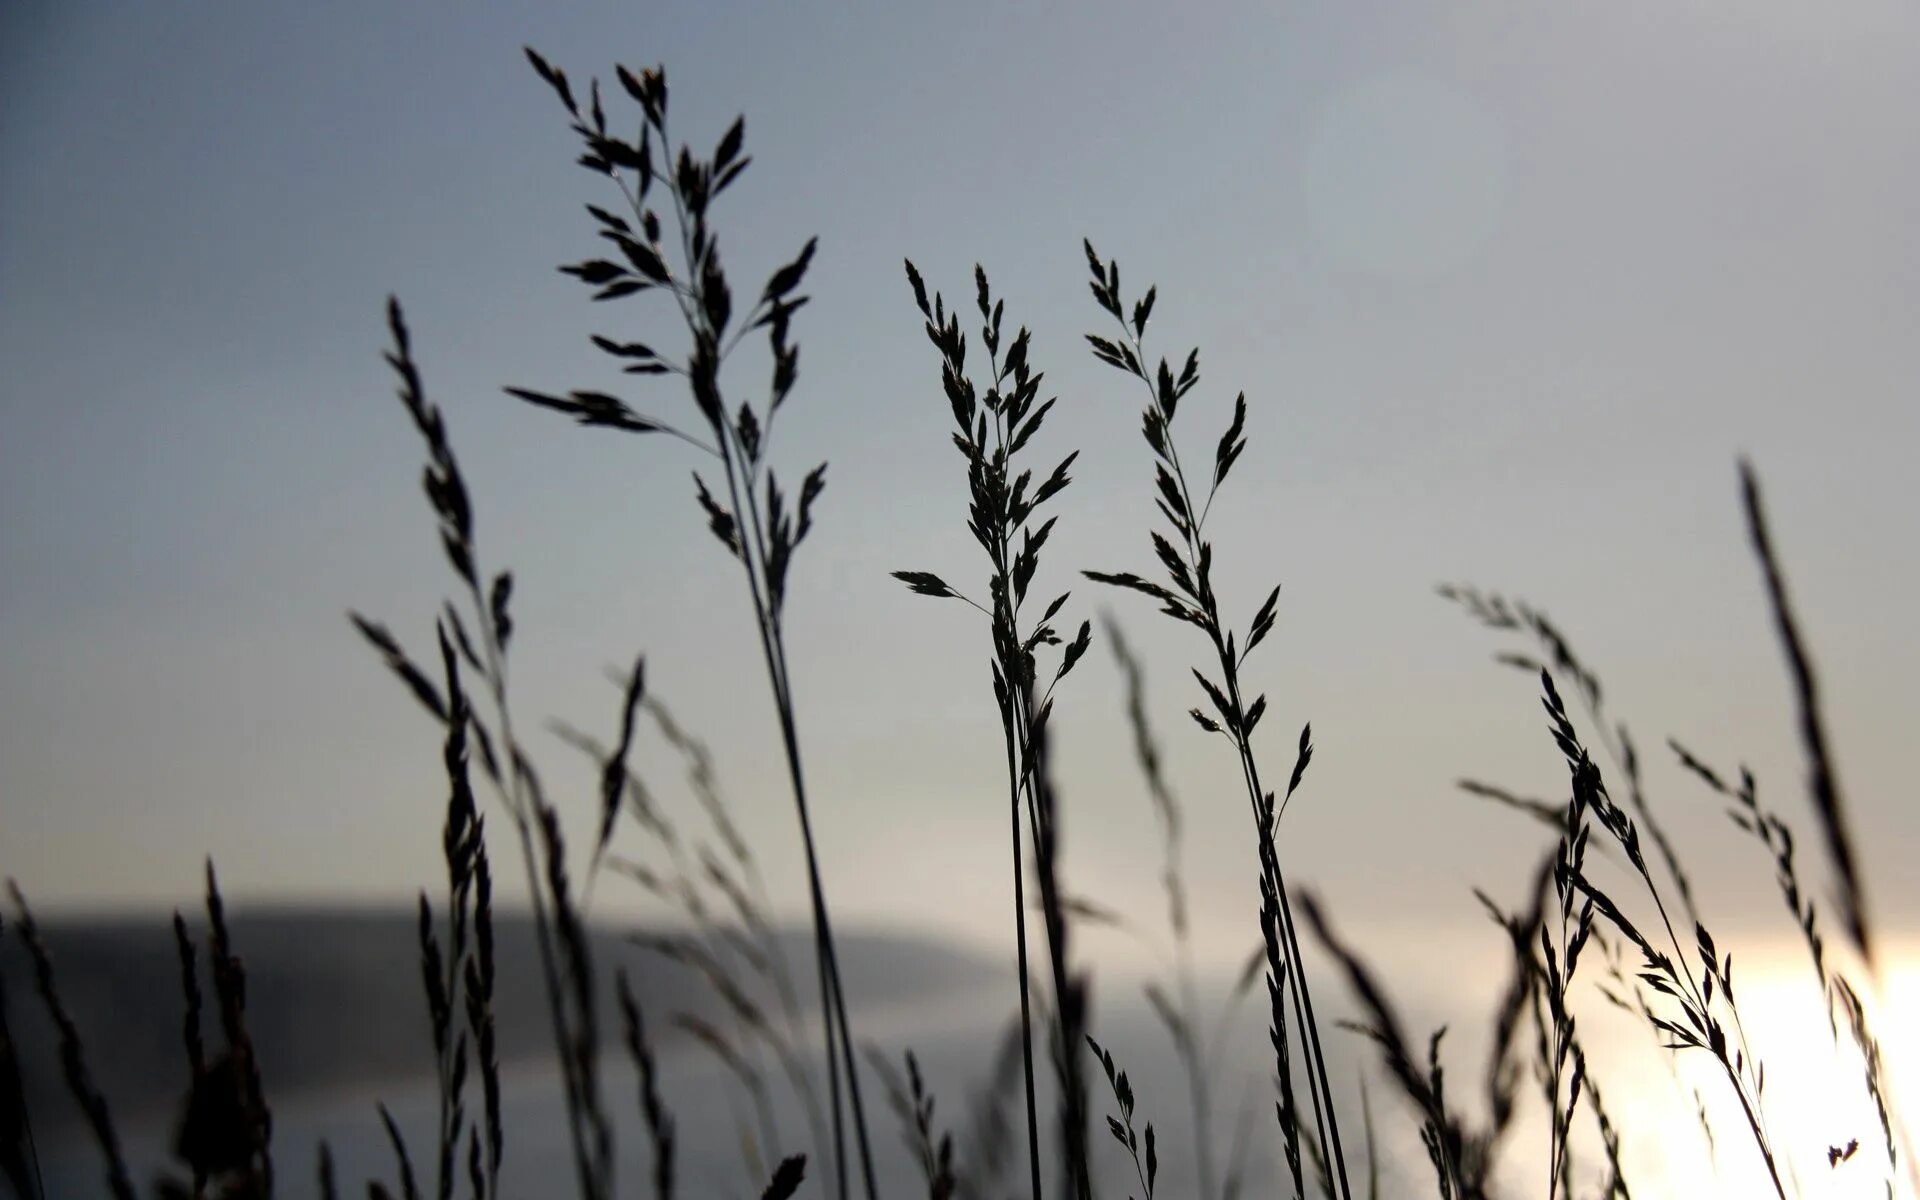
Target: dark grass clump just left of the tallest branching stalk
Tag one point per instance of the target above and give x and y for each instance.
(466, 971)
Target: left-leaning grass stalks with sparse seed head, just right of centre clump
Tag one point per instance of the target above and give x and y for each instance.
(1188, 564)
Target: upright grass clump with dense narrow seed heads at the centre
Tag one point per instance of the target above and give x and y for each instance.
(1003, 516)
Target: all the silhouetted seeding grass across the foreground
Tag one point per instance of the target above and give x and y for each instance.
(1612, 886)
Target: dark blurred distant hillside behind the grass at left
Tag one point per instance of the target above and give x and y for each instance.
(335, 997)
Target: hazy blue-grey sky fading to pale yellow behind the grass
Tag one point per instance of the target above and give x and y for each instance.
(1508, 291)
